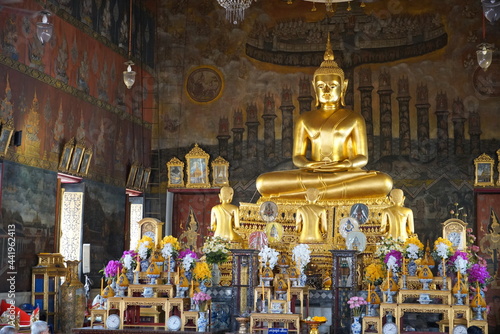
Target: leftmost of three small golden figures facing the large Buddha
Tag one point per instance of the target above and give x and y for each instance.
(225, 216)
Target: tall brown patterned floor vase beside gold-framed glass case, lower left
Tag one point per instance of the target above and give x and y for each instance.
(73, 299)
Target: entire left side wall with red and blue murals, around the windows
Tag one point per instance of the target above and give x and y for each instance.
(72, 87)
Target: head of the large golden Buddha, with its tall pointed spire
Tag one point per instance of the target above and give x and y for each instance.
(328, 80)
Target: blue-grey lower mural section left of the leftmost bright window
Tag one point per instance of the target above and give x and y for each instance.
(28, 203)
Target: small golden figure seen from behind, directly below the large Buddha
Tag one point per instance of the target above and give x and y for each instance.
(311, 219)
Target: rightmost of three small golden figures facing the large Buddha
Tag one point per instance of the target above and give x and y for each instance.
(397, 221)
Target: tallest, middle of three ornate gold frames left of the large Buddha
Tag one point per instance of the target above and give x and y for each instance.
(197, 168)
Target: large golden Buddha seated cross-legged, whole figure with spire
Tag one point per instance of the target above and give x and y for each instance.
(338, 147)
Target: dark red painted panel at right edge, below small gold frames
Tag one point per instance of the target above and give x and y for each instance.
(488, 234)
